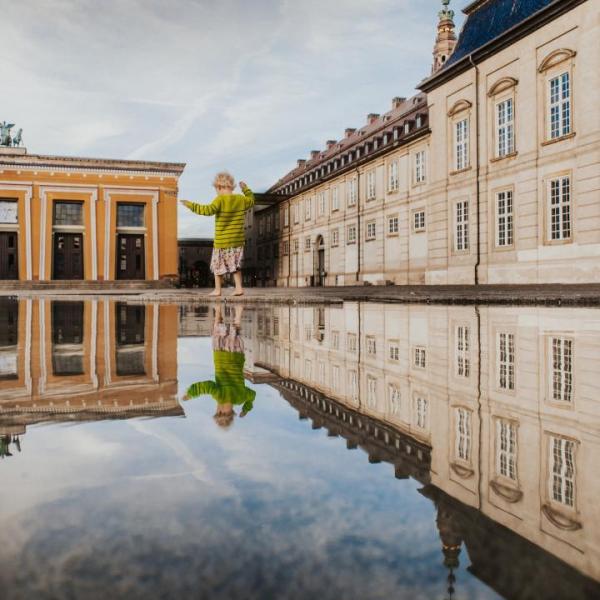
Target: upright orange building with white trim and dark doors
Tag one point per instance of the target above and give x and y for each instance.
(85, 219)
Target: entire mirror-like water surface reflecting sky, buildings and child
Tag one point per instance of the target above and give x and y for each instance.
(122, 488)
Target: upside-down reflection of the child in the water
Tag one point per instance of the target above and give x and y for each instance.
(229, 387)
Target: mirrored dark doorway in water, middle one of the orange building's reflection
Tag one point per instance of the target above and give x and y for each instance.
(67, 338)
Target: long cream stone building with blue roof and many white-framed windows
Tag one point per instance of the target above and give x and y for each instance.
(491, 174)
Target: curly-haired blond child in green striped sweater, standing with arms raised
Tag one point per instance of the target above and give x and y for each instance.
(230, 209)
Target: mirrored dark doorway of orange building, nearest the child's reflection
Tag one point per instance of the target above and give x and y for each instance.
(130, 335)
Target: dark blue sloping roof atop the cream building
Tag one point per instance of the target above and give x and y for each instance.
(489, 21)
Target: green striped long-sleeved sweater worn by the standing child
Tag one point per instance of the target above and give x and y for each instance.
(230, 210)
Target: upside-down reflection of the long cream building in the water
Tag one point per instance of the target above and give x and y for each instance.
(493, 409)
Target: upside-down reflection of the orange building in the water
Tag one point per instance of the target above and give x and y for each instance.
(77, 361)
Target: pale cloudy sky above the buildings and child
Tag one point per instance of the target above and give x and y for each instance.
(218, 84)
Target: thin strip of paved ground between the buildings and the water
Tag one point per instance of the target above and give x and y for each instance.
(566, 295)
